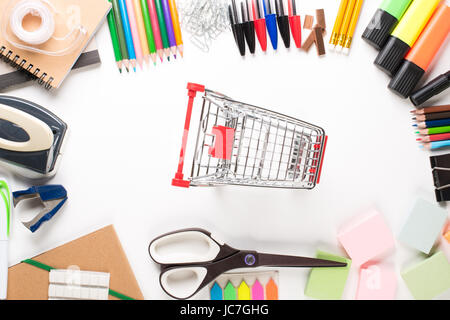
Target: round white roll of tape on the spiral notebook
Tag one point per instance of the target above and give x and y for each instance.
(35, 8)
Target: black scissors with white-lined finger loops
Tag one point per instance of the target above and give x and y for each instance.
(190, 259)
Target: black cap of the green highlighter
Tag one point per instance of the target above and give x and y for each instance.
(379, 29)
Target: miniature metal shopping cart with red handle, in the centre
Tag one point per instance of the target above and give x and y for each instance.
(241, 144)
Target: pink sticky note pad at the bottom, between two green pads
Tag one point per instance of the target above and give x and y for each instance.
(376, 282)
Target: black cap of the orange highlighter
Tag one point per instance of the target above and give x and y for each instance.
(406, 79)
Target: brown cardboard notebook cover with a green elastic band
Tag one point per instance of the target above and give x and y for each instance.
(98, 251)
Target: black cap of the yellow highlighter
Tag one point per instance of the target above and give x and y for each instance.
(391, 56)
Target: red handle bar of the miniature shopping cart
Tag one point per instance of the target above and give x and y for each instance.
(178, 181)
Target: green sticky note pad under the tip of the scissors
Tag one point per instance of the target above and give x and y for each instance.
(328, 283)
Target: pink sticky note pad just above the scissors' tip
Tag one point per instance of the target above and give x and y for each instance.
(367, 237)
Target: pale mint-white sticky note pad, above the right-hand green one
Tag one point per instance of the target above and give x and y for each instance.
(423, 226)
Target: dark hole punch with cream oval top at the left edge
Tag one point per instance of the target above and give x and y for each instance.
(31, 138)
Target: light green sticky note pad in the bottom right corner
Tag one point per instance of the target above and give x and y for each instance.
(429, 278)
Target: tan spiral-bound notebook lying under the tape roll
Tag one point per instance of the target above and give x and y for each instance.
(50, 71)
